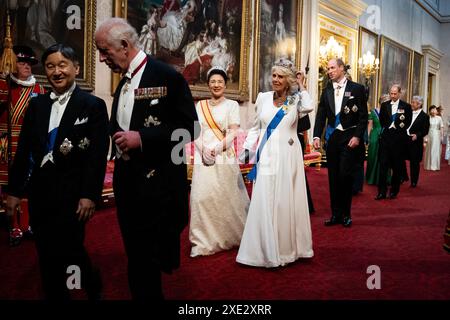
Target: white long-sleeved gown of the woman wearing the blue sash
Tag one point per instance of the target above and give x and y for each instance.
(278, 229)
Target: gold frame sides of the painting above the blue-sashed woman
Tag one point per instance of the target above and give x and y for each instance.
(257, 39)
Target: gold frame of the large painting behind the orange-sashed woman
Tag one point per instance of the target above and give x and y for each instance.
(202, 92)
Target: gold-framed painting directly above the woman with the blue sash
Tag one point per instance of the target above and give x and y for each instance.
(277, 33)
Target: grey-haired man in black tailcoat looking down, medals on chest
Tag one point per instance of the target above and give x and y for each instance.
(152, 107)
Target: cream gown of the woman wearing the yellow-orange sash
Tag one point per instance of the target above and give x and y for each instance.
(219, 198)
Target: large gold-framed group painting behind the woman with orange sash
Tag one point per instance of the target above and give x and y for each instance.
(198, 40)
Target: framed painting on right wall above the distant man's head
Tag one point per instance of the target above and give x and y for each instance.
(395, 67)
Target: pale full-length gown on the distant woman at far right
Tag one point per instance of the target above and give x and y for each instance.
(434, 147)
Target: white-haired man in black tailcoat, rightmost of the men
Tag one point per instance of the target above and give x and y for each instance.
(420, 124)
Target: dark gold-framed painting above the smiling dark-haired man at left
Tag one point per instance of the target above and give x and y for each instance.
(39, 24)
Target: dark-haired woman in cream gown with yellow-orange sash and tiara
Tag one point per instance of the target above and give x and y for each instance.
(219, 199)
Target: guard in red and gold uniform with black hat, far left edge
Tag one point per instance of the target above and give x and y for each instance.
(23, 87)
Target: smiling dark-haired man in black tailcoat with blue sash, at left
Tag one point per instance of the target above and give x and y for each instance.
(66, 134)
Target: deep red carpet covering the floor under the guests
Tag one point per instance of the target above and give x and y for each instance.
(404, 237)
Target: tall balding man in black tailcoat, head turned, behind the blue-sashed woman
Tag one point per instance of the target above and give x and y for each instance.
(342, 103)
